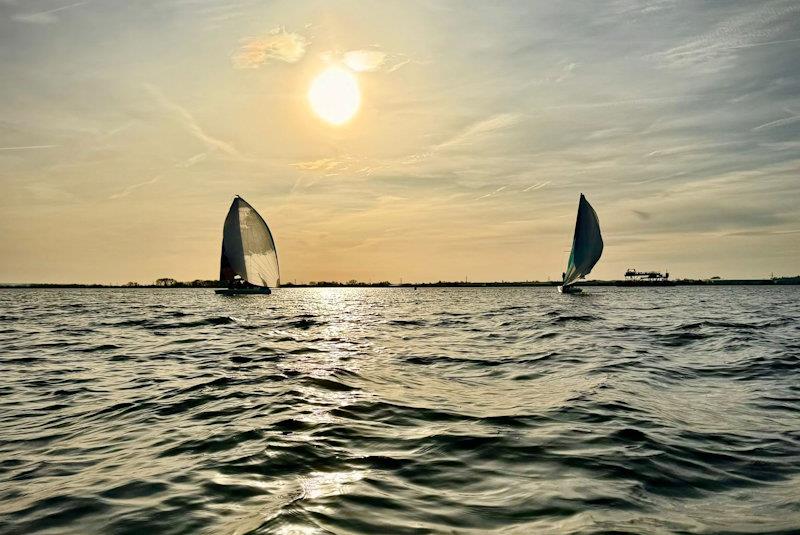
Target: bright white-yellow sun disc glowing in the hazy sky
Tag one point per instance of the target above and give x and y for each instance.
(334, 95)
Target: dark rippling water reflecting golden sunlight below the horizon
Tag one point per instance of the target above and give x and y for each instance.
(496, 410)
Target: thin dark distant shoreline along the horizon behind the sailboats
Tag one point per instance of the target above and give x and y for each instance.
(779, 281)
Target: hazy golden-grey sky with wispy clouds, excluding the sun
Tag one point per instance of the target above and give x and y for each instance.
(126, 128)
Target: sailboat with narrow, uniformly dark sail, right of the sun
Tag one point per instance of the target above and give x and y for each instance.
(587, 246)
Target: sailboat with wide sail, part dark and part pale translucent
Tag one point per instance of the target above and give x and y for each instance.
(249, 262)
